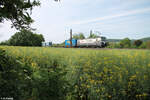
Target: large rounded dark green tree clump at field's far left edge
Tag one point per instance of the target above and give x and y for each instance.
(26, 38)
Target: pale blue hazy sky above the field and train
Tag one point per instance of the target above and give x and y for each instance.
(114, 19)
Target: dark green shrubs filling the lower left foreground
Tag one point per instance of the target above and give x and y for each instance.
(25, 80)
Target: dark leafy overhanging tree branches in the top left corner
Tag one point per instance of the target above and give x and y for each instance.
(17, 11)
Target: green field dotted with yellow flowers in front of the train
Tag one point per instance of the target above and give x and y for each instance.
(108, 74)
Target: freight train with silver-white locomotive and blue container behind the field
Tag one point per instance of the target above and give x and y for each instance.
(91, 42)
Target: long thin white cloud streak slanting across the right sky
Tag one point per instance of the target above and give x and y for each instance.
(132, 12)
